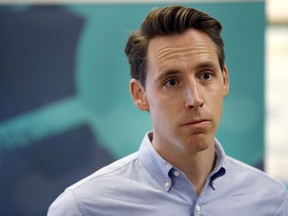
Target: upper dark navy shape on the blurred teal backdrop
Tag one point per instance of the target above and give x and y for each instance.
(37, 57)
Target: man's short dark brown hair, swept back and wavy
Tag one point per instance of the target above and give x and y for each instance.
(168, 21)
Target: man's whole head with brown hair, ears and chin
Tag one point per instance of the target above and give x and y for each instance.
(179, 75)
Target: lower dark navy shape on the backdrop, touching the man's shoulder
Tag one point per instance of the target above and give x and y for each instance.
(32, 177)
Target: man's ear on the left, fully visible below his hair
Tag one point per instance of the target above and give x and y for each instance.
(138, 95)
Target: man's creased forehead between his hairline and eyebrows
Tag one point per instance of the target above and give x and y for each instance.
(192, 44)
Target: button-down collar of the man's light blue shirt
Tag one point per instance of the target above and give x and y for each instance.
(159, 168)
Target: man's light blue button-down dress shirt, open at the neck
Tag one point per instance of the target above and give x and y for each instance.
(144, 184)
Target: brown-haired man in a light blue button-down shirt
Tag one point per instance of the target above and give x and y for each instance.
(180, 78)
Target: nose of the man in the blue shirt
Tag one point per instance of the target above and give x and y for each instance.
(192, 97)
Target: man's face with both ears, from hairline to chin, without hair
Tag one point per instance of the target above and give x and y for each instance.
(184, 92)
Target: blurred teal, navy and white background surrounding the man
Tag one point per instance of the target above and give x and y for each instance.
(65, 107)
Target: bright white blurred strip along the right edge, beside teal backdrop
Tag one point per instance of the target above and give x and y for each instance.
(276, 89)
